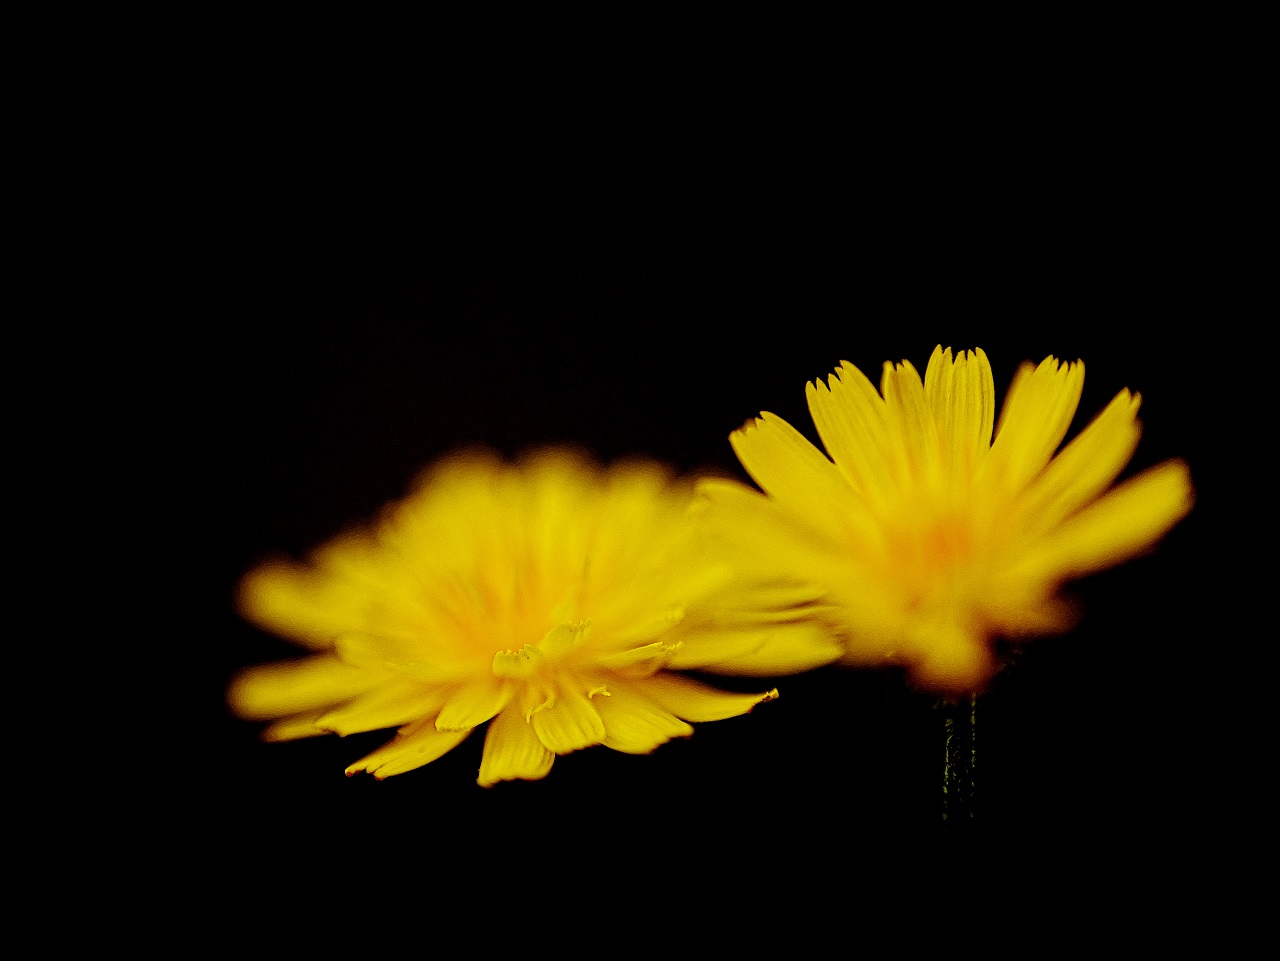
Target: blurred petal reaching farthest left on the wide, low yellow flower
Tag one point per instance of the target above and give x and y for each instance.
(296, 687)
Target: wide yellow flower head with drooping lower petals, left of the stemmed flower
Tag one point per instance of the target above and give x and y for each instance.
(551, 600)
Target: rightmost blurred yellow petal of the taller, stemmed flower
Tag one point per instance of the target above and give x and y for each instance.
(1128, 521)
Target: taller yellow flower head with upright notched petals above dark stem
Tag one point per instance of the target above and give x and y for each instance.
(925, 538)
